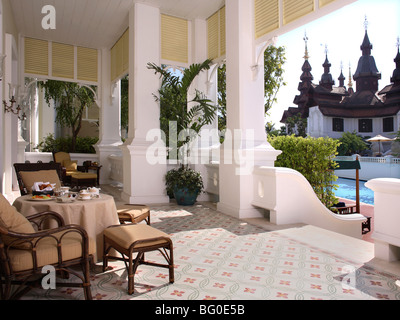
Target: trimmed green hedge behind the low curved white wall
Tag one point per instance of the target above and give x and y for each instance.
(313, 158)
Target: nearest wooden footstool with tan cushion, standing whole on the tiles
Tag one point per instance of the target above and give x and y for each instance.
(137, 238)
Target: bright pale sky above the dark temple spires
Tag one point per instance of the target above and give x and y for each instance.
(342, 32)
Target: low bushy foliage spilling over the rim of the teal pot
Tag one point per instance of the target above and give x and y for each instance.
(183, 177)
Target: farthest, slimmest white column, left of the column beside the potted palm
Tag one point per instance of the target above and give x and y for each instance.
(110, 115)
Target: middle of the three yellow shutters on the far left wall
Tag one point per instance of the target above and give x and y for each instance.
(63, 58)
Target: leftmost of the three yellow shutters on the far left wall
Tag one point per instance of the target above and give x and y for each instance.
(36, 56)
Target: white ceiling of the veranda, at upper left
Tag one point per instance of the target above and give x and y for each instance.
(97, 23)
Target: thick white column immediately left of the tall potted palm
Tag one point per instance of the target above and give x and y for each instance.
(143, 178)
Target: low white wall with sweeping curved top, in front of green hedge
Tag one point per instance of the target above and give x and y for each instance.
(290, 199)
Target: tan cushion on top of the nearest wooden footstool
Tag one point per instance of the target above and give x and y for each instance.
(126, 235)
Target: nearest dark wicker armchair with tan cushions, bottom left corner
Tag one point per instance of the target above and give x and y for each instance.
(25, 248)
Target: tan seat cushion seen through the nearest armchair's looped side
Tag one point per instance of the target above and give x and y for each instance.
(71, 248)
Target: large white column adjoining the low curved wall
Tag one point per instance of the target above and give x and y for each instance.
(246, 142)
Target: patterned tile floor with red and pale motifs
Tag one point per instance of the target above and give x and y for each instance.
(218, 257)
